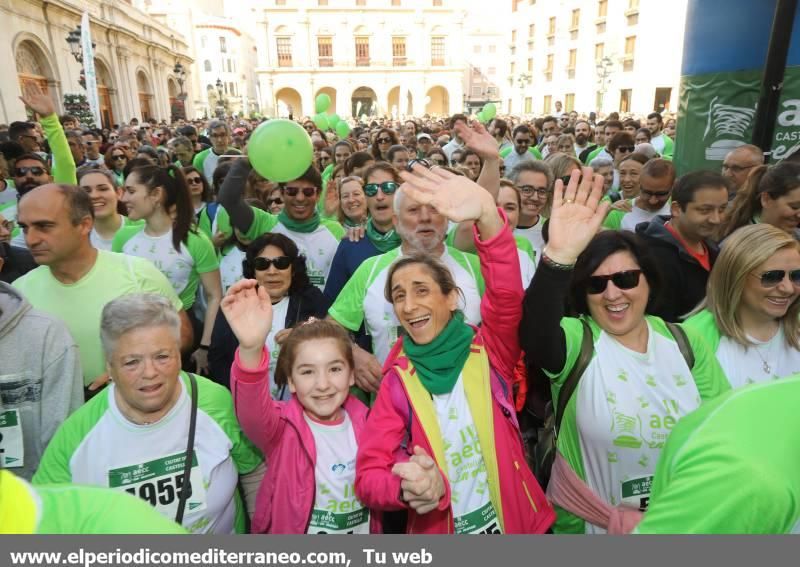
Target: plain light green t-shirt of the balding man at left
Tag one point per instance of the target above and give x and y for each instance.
(80, 304)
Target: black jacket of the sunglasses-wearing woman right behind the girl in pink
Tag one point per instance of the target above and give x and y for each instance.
(309, 302)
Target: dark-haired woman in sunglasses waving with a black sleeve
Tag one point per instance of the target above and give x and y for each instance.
(640, 375)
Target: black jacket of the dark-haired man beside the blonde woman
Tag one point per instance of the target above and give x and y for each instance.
(684, 279)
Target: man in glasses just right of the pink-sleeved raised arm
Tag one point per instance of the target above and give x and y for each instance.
(534, 179)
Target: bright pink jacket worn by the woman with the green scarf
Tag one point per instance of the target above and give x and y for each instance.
(525, 508)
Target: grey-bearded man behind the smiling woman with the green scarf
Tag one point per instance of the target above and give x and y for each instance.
(422, 230)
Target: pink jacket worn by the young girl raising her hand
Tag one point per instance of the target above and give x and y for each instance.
(286, 495)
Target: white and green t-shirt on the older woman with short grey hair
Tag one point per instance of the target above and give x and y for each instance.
(98, 446)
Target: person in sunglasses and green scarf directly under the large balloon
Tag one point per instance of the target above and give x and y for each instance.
(317, 238)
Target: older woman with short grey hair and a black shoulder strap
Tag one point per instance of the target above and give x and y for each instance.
(169, 437)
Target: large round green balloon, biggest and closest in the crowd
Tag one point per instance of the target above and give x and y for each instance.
(280, 150)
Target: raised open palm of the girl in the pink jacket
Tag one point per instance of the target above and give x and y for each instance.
(248, 310)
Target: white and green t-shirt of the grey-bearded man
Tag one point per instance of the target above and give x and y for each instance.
(362, 299)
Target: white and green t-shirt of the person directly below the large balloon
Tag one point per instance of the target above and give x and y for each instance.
(318, 246)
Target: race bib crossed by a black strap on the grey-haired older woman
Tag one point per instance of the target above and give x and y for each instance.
(160, 481)
